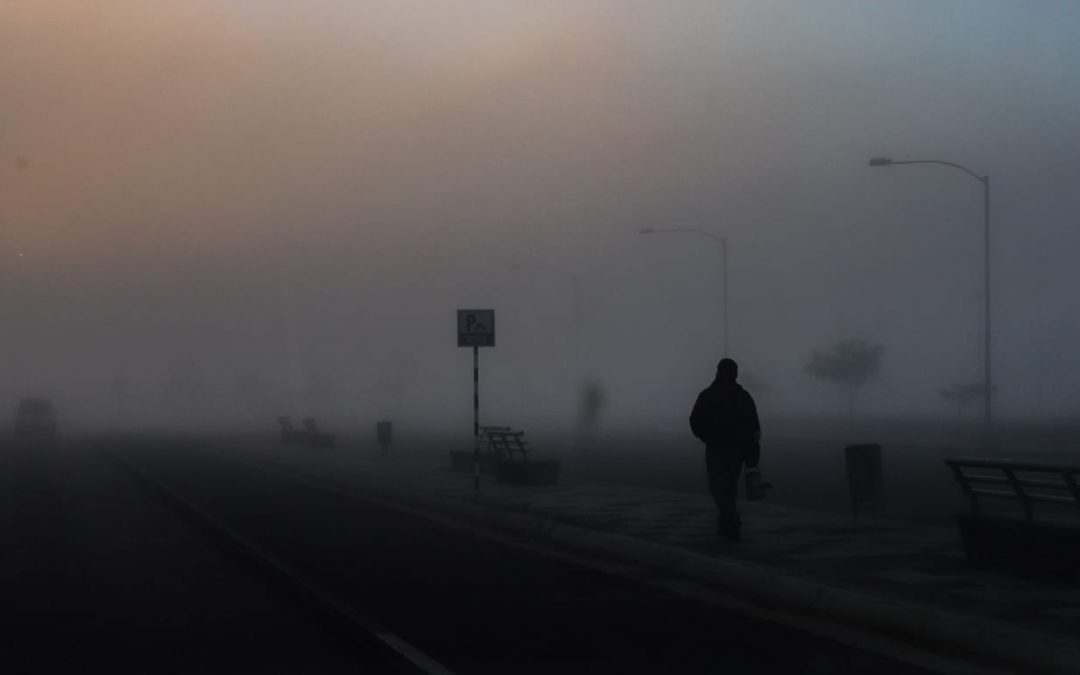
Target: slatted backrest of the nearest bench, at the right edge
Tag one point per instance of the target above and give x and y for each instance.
(1024, 482)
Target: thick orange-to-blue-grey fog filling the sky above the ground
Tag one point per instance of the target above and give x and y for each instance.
(221, 212)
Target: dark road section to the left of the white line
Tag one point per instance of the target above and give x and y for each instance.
(98, 577)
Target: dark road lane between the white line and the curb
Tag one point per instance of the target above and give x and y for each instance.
(475, 605)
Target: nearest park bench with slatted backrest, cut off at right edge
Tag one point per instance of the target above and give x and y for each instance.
(1042, 538)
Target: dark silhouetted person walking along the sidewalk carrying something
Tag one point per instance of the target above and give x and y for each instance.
(725, 418)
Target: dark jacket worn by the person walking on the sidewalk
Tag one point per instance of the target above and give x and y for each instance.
(725, 420)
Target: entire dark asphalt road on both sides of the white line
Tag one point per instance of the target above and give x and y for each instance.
(102, 572)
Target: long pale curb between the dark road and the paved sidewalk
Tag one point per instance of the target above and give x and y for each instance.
(941, 630)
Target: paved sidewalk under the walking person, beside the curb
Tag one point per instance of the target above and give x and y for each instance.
(897, 563)
